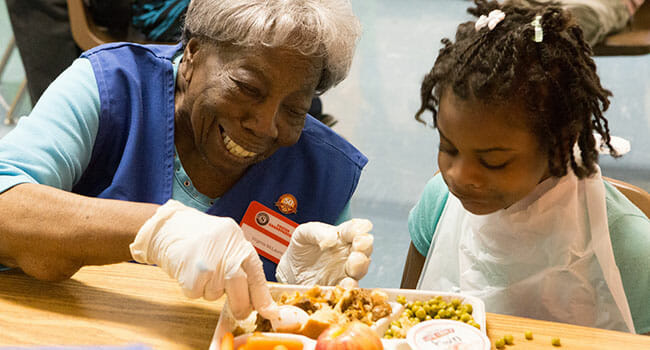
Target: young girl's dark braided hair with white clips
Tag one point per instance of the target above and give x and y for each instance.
(556, 79)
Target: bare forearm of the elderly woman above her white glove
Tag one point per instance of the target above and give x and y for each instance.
(50, 233)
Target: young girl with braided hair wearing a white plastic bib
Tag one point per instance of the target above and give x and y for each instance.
(519, 214)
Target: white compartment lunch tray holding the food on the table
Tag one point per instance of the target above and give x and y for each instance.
(227, 323)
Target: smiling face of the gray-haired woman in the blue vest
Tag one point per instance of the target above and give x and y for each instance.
(241, 104)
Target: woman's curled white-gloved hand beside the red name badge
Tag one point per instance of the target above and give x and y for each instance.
(327, 255)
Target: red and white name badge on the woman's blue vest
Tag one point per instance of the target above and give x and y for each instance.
(269, 231)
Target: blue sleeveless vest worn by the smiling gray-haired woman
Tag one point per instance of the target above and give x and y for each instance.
(133, 155)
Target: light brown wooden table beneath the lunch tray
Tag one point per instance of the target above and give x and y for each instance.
(137, 304)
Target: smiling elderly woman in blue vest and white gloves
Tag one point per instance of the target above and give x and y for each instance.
(132, 145)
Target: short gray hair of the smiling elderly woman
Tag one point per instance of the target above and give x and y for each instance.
(325, 28)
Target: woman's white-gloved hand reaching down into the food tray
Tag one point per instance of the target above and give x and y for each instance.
(206, 254)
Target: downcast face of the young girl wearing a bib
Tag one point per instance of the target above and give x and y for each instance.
(488, 156)
